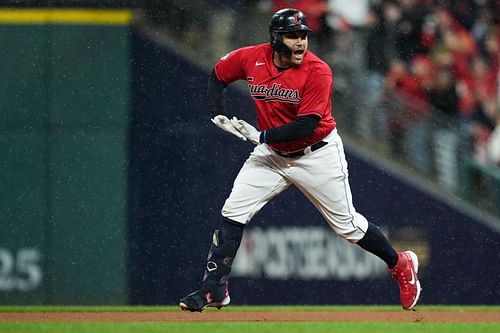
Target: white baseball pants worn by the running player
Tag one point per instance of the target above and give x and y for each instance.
(321, 175)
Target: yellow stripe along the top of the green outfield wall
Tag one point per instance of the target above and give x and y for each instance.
(66, 16)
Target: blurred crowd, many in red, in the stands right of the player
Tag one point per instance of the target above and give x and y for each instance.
(428, 57)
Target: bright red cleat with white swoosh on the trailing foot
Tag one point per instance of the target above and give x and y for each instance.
(405, 274)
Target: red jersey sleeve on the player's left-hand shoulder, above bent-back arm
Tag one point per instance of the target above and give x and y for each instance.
(231, 67)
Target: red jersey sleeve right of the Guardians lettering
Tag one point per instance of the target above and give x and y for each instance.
(317, 94)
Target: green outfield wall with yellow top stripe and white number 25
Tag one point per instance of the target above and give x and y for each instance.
(64, 113)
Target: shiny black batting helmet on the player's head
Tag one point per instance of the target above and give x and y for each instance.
(286, 20)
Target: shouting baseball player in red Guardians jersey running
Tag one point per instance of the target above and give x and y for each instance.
(296, 144)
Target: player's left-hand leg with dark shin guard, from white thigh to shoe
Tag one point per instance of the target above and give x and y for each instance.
(257, 183)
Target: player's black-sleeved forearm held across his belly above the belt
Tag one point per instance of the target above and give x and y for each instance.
(298, 129)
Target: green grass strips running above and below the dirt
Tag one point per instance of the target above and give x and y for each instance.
(241, 327)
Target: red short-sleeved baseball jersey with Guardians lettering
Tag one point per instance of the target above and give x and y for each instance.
(282, 96)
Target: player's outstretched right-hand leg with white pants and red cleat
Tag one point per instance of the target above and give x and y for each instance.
(334, 201)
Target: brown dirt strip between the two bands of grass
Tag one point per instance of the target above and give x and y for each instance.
(285, 316)
